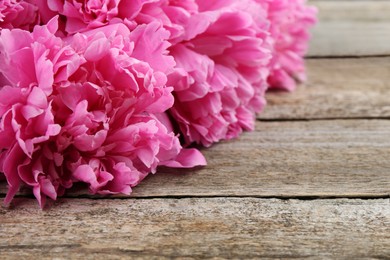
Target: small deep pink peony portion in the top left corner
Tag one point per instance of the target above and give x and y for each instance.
(21, 14)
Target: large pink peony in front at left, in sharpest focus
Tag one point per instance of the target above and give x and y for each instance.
(85, 109)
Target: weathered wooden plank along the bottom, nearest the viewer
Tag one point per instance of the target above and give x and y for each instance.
(198, 228)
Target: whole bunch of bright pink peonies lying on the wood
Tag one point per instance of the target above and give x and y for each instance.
(105, 91)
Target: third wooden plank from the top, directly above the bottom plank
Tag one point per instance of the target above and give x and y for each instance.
(336, 158)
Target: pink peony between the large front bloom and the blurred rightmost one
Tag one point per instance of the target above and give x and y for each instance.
(221, 72)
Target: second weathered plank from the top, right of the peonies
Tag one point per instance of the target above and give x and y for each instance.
(337, 88)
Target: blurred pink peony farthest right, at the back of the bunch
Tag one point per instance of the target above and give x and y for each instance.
(290, 23)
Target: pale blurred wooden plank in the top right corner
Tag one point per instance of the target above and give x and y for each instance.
(351, 28)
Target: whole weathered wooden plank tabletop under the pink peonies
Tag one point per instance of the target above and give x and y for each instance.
(313, 181)
